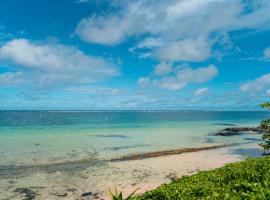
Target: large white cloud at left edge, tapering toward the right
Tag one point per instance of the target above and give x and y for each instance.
(48, 64)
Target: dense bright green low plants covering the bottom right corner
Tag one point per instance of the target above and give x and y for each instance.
(249, 179)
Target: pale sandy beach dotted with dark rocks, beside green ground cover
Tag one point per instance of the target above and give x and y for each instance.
(146, 174)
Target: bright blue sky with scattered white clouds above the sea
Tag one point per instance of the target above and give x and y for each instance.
(136, 54)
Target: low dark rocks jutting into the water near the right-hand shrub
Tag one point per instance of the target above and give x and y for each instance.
(239, 130)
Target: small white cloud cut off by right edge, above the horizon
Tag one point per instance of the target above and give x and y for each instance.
(256, 85)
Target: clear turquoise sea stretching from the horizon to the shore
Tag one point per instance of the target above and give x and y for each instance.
(44, 137)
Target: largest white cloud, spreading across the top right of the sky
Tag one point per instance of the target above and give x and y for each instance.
(173, 30)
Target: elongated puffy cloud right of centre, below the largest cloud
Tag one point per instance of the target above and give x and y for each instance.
(179, 77)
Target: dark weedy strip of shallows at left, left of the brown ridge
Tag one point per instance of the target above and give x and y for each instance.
(13, 171)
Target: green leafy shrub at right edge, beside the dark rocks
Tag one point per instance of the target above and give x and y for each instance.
(265, 124)
